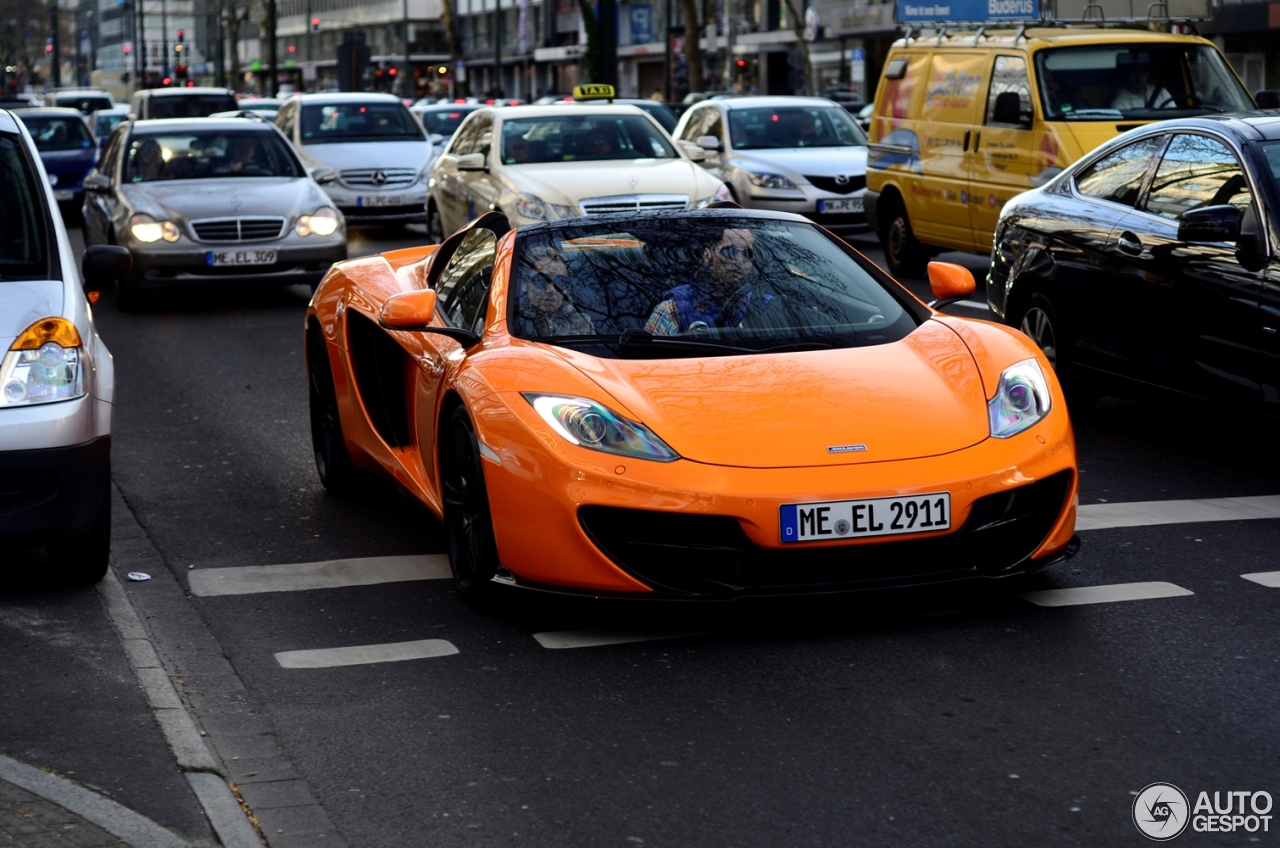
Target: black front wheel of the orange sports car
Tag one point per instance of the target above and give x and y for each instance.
(468, 521)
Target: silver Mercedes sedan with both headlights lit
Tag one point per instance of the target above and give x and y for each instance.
(207, 202)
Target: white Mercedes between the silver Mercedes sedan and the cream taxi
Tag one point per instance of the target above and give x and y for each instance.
(368, 151)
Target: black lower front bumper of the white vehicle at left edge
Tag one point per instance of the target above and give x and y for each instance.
(52, 493)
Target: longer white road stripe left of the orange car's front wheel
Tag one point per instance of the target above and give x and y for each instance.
(331, 575)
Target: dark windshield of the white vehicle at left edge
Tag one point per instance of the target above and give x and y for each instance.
(25, 243)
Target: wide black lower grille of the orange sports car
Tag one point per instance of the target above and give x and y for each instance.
(712, 557)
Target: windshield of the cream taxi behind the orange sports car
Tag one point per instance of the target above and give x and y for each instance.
(583, 139)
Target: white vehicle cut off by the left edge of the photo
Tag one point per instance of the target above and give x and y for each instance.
(57, 380)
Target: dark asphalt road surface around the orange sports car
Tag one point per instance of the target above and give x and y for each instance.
(954, 719)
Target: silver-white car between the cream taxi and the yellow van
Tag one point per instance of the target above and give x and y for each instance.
(802, 156)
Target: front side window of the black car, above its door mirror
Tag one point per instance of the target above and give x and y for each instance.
(1197, 171)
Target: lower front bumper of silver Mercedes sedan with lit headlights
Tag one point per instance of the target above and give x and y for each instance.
(182, 266)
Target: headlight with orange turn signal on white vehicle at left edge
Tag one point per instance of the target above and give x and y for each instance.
(44, 366)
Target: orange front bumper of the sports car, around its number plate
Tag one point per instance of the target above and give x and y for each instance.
(610, 526)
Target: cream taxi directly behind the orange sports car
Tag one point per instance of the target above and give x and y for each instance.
(546, 163)
